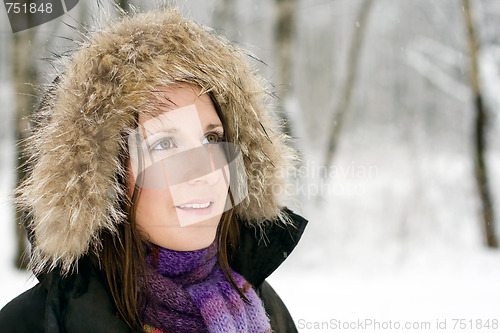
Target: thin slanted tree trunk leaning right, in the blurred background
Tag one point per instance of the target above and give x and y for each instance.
(352, 69)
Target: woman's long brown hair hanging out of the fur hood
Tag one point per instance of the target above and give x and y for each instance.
(123, 253)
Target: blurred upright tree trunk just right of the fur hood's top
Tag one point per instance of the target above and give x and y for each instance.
(284, 33)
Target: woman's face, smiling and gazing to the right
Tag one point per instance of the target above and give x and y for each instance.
(183, 194)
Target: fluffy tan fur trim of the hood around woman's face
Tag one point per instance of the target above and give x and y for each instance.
(72, 191)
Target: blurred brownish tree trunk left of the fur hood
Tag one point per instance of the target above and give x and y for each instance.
(23, 74)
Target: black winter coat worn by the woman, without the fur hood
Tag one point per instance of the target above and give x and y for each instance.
(81, 302)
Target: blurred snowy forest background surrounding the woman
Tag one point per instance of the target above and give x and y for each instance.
(394, 108)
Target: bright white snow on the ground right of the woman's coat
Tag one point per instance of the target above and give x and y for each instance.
(427, 289)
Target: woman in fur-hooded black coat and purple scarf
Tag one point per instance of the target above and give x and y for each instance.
(154, 192)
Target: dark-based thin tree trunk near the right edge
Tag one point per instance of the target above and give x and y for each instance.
(480, 167)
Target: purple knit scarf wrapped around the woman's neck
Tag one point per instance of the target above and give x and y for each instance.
(189, 293)
